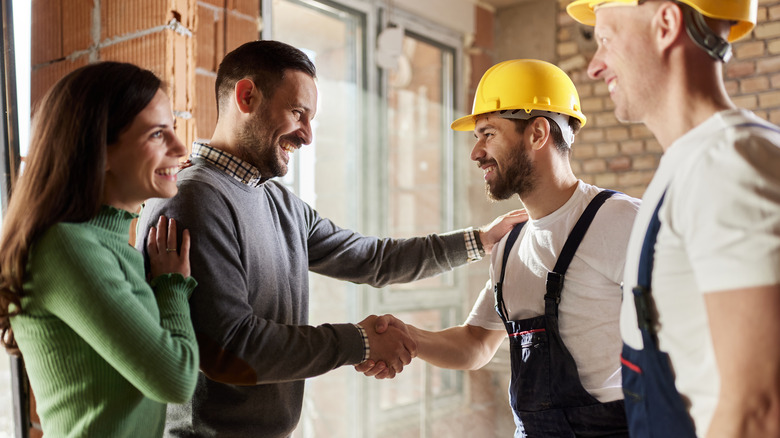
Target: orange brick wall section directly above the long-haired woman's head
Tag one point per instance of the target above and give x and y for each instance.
(155, 34)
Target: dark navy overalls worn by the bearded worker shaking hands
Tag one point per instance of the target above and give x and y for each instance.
(545, 392)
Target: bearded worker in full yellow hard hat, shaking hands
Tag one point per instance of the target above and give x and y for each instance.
(554, 284)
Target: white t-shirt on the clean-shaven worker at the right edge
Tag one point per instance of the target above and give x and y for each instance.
(720, 230)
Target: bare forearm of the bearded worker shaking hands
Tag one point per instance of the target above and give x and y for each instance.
(463, 347)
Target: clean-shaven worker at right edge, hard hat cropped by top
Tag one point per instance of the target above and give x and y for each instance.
(701, 305)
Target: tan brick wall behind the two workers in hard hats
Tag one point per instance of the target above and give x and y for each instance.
(622, 156)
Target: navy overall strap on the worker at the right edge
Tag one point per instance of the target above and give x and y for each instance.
(641, 292)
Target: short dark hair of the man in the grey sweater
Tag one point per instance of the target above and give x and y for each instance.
(264, 62)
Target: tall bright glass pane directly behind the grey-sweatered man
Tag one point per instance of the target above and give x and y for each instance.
(325, 175)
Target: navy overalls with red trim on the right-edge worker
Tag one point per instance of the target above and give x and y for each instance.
(653, 406)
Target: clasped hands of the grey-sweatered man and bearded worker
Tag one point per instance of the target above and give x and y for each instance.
(391, 346)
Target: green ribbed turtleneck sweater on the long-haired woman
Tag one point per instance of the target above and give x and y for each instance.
(104, 351)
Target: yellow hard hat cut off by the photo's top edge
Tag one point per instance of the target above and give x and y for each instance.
(744, 12)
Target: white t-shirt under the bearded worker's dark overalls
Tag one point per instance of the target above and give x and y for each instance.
(590, 301)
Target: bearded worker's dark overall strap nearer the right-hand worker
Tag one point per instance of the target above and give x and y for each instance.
(555, 278)
